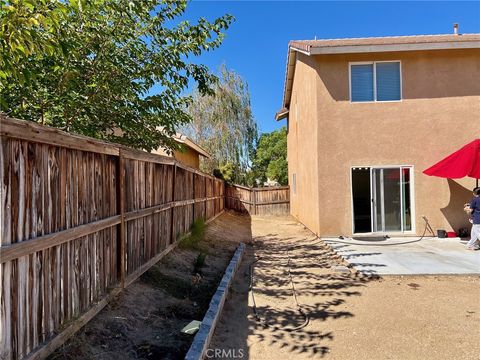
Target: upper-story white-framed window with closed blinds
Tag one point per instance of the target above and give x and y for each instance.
(375, 81)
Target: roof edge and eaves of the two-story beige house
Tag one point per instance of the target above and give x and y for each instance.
(368, 45)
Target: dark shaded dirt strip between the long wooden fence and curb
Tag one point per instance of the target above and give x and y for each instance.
(144, 322)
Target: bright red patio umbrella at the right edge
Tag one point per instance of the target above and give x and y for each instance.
(464, 162)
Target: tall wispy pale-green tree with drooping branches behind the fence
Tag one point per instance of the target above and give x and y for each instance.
(223, 124)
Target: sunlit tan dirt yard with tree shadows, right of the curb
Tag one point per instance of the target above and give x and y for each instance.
(349, 316)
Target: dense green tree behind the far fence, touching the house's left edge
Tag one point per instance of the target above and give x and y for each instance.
(270, 159)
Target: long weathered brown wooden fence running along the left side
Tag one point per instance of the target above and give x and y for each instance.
(80, 219)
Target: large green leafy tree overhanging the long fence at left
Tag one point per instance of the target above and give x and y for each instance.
(111, 69)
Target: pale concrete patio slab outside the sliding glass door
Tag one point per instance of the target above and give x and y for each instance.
(401, 256)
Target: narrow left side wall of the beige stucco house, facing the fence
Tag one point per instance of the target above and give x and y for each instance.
(302, 136)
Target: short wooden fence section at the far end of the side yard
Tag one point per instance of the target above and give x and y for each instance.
(258, 201)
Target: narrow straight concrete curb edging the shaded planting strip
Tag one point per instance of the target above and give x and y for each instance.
(204, 335)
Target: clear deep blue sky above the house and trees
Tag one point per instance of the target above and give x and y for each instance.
(256, 43)
